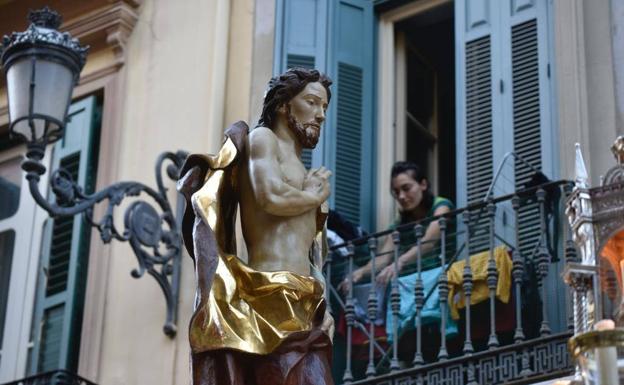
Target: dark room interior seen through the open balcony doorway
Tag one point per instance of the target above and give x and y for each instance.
(430, 113)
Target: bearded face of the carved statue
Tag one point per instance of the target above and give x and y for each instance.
(306, 113)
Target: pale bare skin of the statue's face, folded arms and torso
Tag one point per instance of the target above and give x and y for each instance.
(279, 197)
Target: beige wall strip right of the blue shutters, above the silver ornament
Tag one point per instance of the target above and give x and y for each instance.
(585, 84)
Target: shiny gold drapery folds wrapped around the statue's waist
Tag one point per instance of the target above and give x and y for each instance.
(254, 311)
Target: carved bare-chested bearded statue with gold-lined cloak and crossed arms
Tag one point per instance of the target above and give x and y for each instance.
(263, 322)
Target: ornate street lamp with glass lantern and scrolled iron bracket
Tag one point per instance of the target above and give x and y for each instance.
(42, 66)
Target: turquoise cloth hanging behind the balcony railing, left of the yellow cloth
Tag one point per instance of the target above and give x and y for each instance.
(431, 309)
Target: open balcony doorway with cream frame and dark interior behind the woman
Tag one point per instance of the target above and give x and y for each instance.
(416, 96)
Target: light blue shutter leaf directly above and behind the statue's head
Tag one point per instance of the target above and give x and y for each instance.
(300, 42)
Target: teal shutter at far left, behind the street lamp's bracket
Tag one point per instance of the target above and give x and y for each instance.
(60, 291)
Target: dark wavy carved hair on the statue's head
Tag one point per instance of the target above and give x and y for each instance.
(284, 87)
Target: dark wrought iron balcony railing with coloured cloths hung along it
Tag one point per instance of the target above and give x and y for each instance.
(451, 322)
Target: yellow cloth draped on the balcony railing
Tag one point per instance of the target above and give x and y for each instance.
(480, 291)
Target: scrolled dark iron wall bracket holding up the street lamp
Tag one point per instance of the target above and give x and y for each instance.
(151, 230)
